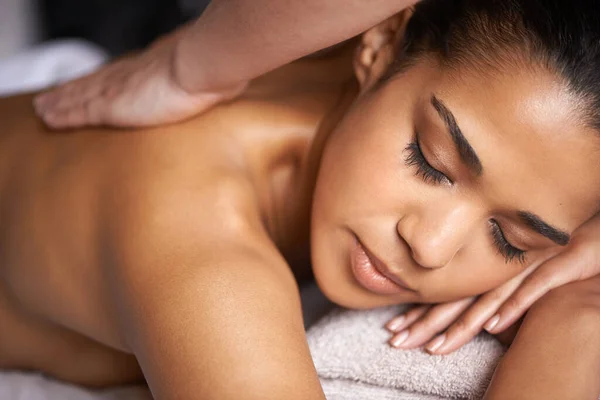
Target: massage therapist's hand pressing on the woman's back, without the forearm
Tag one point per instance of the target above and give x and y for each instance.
(139, 90)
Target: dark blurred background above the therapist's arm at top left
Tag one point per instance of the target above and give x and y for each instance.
(118, 26)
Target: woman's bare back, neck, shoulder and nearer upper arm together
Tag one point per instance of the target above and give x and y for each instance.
(168, 255)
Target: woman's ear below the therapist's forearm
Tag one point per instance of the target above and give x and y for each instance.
(377, 49)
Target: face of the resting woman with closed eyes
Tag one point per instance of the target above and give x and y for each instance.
(444, 184)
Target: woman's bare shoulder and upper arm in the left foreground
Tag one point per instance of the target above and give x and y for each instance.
(203, 294)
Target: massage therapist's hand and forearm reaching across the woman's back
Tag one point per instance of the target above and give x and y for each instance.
(210, 61)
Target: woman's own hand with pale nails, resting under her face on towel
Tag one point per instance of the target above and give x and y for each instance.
(499, 309)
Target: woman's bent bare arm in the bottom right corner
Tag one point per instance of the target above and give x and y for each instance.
(556, 354)
